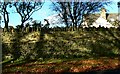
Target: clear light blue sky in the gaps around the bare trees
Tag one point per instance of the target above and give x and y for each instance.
(46, 11)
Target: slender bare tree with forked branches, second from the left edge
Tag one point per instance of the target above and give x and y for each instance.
(26, 9)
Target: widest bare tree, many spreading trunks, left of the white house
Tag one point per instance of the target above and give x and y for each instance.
(75, 11)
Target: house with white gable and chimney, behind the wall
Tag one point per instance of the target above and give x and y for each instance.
(101, 20)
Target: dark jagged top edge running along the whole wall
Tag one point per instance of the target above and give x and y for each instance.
(47, 29)
